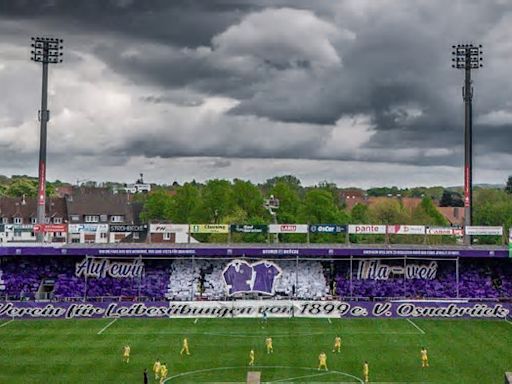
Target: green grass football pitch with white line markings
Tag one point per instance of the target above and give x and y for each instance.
(72, 351)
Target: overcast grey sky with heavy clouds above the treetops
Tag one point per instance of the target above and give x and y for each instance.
(356, 92)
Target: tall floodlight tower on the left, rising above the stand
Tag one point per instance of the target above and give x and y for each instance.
(45, 50)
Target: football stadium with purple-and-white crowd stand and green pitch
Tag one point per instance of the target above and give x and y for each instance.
(84, 302)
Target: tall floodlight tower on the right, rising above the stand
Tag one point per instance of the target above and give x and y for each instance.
(467, 57)
